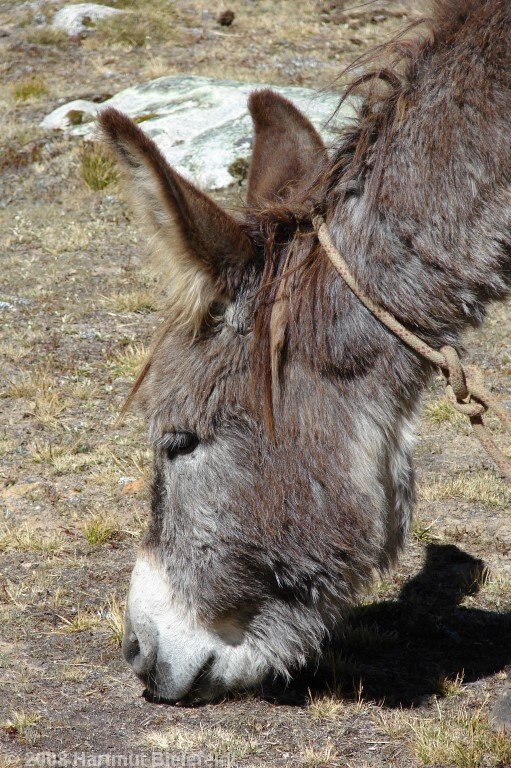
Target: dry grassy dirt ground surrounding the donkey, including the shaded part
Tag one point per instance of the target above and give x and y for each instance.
(424, 657)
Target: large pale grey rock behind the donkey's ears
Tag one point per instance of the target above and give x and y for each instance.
(201, 125)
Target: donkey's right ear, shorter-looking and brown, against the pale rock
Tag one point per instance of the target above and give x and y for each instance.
(287, 148)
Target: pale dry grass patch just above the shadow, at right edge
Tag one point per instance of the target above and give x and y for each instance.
(483, 487)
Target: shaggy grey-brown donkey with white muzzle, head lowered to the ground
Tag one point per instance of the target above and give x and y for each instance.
(280, 410)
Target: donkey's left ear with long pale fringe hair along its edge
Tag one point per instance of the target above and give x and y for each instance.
(200, 247)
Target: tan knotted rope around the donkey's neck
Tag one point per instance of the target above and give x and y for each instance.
(464, 387)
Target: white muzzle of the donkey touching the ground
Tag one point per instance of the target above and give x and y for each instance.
(179, 658)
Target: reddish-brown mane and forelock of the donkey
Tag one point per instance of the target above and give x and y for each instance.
(383, 91)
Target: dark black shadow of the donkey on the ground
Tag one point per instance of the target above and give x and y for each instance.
(397, 652)
